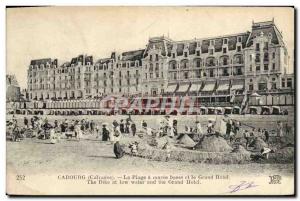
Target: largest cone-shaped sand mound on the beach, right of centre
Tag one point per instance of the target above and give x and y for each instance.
(213, 144)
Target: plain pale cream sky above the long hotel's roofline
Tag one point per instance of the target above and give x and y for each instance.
(66, 32)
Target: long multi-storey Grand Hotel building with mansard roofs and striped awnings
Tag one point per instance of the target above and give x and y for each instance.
(217, 70)
